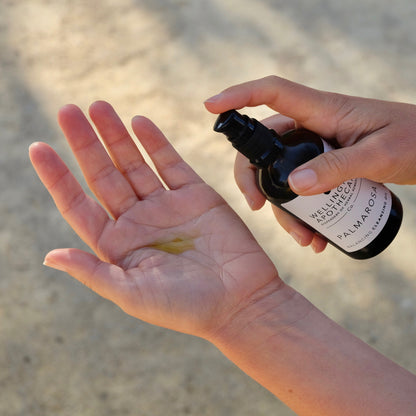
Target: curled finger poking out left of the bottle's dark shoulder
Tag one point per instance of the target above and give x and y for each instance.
(245, 177)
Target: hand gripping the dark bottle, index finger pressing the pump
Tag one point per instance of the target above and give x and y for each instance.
(377, 140)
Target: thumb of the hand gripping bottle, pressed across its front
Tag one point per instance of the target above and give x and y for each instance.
(330, 169)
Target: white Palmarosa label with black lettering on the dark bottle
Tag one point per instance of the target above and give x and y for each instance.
(351, 215)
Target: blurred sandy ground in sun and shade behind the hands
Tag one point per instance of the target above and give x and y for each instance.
(66, 351)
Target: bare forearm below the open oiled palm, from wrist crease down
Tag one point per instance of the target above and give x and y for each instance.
(308, 361)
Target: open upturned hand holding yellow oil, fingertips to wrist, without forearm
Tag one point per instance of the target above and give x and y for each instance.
(168, 249)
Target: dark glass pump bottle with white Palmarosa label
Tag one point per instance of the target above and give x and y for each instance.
(359, 217)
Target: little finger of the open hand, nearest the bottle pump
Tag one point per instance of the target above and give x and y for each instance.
(173, 170)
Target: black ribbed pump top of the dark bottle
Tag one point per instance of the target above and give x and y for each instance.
(251, 138)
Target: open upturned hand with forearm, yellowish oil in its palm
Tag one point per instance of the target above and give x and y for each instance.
(171, 252)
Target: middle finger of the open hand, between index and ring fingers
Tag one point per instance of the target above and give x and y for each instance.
(106, 182)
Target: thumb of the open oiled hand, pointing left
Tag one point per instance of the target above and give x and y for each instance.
(103, 278)
